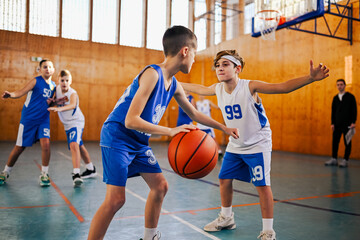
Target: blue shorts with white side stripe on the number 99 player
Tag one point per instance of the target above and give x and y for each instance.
(253, 168)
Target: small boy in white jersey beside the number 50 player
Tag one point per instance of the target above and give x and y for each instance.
(74, 121)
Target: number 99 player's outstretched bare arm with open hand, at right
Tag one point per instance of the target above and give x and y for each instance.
(316, 74)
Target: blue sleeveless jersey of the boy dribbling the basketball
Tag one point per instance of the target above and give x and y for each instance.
(153, 112)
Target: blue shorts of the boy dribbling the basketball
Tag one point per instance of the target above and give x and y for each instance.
(124, 163)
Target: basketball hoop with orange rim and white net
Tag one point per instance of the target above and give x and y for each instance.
(267, 22)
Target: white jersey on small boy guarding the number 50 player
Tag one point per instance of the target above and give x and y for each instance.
(70, 118)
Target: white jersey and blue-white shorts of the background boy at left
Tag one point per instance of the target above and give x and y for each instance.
(73, 120)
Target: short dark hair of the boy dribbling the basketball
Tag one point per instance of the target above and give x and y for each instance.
(176, 38)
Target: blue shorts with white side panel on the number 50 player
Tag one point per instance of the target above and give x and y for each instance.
(30, 133)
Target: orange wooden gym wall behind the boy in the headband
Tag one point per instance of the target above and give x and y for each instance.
(300, 121)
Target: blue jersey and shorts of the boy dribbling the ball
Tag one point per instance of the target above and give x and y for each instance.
(126, 152)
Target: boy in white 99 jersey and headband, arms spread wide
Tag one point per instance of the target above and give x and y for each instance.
(248, 157)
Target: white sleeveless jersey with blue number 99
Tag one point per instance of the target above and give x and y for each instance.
(240, 110)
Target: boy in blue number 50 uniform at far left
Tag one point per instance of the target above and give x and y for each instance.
(35, 120)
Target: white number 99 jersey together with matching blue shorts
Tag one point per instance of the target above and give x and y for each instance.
(248, 157)
